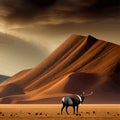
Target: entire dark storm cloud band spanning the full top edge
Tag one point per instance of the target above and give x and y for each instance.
(26, 11)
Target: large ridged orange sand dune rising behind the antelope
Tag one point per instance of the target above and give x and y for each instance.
(79, 64)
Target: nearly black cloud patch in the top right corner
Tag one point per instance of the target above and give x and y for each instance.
(106, 8)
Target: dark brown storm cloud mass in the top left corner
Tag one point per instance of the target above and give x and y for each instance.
(23, 10)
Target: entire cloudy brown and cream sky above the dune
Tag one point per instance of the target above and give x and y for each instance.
(32, 29)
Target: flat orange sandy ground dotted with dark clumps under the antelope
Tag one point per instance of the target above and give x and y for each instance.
(52, 112)
